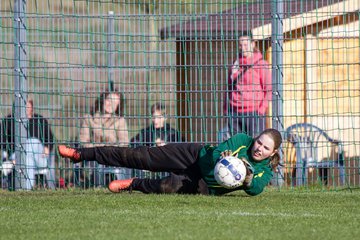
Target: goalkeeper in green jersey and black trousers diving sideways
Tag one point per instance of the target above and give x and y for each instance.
(191, 164)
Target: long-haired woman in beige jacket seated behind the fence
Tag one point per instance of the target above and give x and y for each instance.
(105, 125)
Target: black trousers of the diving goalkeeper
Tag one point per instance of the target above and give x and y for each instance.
(177, 158)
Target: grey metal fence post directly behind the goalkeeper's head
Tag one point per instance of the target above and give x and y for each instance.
(277, 74)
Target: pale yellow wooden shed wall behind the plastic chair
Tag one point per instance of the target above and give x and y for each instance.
(321, 86)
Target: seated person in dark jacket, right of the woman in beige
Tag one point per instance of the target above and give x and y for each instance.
(159, 132)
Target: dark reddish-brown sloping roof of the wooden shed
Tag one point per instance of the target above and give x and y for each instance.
(230, 24)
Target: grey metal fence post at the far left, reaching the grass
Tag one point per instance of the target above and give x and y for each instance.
(20, 93)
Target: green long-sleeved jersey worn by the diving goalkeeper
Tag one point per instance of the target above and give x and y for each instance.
(241, 144)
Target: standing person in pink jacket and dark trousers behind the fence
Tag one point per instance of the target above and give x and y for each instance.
(249, 89)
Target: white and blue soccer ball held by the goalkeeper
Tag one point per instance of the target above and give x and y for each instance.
(230, 172)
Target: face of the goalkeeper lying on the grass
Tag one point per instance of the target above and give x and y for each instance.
(263, 148)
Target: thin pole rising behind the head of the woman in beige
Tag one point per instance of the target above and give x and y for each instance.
(110, 44)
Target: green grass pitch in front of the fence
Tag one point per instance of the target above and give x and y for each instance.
(98, 214)
